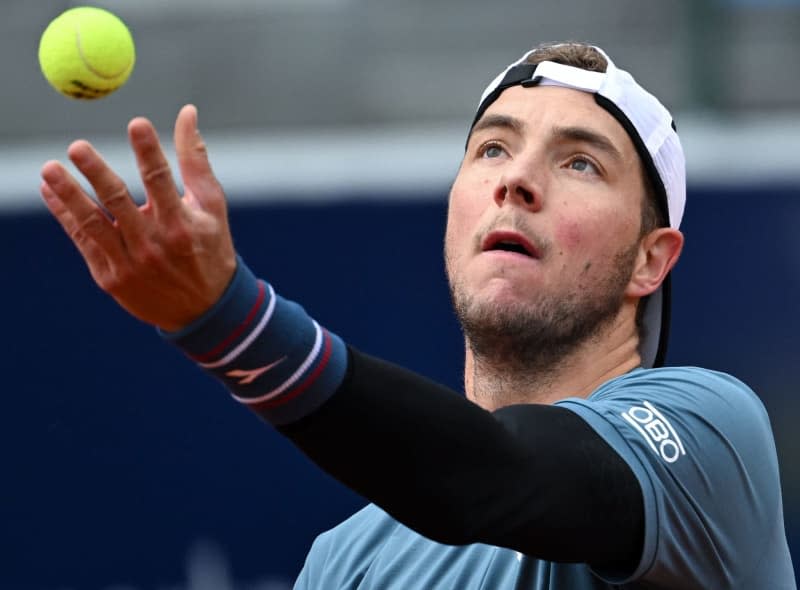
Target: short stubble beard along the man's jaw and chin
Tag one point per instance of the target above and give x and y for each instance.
(530, 339)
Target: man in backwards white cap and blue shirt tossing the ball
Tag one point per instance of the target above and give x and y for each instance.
(575, 464)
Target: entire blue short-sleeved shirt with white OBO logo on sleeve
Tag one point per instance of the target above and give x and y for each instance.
(701, 446)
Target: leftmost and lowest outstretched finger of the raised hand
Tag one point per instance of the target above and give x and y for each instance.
(82, 218)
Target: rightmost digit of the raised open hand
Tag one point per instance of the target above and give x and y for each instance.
(196, 172)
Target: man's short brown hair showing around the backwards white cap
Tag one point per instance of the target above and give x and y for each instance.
(587, 57)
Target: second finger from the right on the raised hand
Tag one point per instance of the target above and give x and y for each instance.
(154, 169)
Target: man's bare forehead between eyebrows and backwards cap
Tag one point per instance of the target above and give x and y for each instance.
(540, 108)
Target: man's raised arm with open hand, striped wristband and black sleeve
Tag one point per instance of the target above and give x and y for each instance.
(533, 478)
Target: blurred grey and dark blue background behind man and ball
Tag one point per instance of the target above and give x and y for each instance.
(336, 127)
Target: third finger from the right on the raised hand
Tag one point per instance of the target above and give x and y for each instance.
(110, 190)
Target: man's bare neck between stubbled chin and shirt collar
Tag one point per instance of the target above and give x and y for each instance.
(493, 383)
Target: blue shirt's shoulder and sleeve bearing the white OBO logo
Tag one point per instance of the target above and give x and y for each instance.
(692, 436)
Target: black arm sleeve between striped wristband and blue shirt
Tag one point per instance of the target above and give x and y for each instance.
(533, 478)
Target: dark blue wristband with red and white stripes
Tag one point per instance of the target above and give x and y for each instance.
(267, 351)
